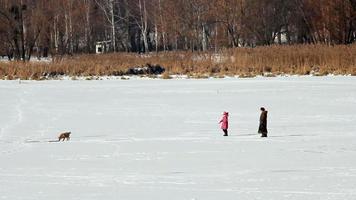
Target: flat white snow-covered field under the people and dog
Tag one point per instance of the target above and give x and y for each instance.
(160, 139)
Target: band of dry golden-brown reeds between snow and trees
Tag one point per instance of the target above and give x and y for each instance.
(246, 62)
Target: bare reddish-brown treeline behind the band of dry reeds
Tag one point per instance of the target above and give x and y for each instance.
(62, 27)
